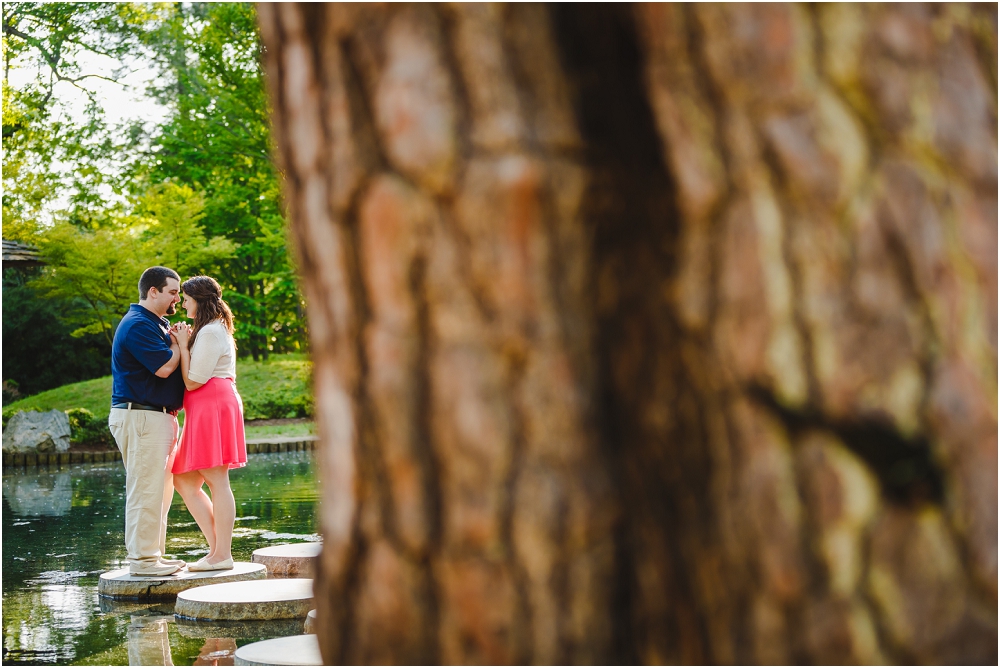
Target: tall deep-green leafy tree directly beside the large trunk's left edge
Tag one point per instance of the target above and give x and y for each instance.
(218, 141)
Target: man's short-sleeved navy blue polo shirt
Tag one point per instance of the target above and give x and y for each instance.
(140, 348)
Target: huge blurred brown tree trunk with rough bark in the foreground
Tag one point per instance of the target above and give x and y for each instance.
(648, 334)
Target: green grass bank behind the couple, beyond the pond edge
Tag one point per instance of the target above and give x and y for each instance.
(278, 388)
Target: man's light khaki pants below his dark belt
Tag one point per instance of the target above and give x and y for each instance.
(146, 440)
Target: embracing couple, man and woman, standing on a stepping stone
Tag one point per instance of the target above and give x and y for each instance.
(157, 369)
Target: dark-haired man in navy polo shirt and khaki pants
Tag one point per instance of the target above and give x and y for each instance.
(146, 393)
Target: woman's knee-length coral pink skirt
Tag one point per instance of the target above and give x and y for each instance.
(213, 428)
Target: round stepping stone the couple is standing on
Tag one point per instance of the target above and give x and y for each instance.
(120, 585)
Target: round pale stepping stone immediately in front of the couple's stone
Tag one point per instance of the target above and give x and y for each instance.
(282, 598)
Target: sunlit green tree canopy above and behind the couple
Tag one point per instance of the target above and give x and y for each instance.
(102, 199)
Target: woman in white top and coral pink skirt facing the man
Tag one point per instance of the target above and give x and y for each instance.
(213, 440)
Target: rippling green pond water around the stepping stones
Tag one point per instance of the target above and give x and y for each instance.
(63, 528)
